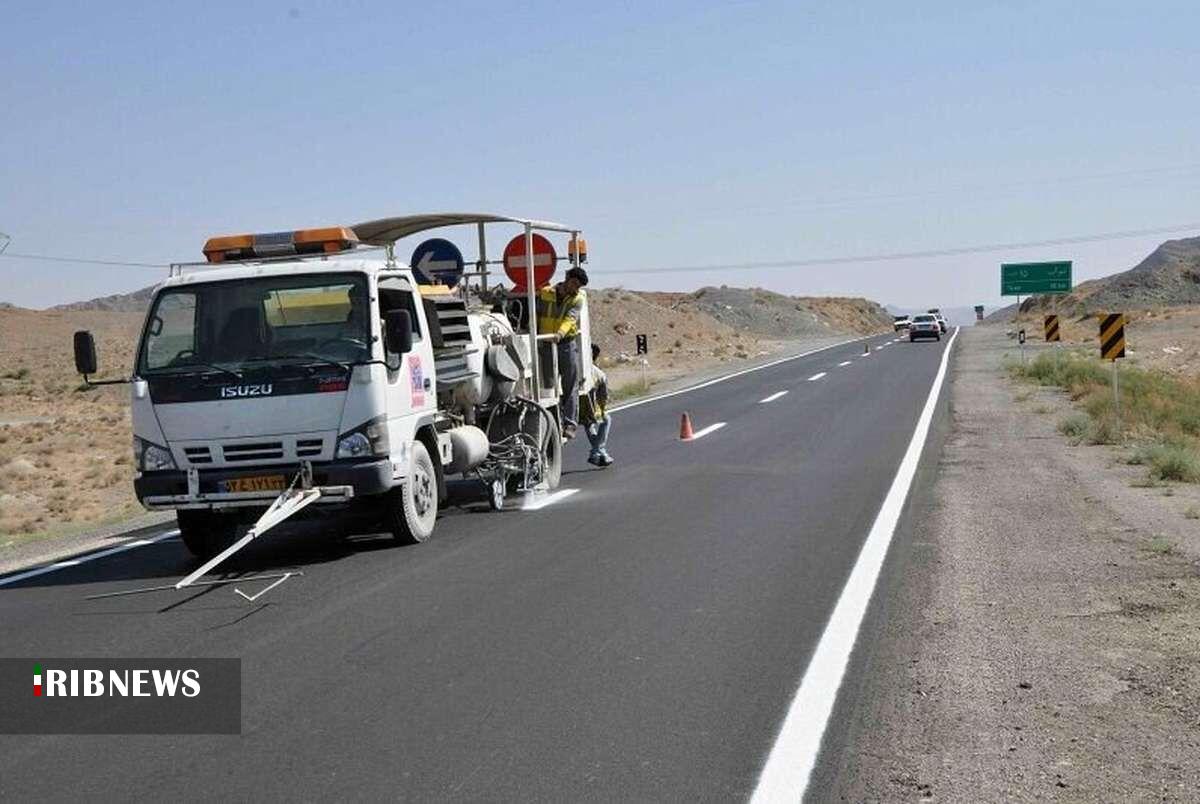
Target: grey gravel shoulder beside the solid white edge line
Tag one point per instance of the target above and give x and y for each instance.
(1042, 641)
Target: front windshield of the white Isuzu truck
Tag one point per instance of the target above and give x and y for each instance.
(256, 323)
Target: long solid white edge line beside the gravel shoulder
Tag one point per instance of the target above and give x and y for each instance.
(785, 777)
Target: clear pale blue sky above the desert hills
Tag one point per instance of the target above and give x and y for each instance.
(674, 134)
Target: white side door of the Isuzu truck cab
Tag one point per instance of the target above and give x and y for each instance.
(412, 385)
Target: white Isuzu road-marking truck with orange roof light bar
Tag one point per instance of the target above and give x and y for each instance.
(311, 367)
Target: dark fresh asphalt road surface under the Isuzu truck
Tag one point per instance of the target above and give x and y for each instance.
(640, 639)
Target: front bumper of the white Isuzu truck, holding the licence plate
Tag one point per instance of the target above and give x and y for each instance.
(343, 481)
